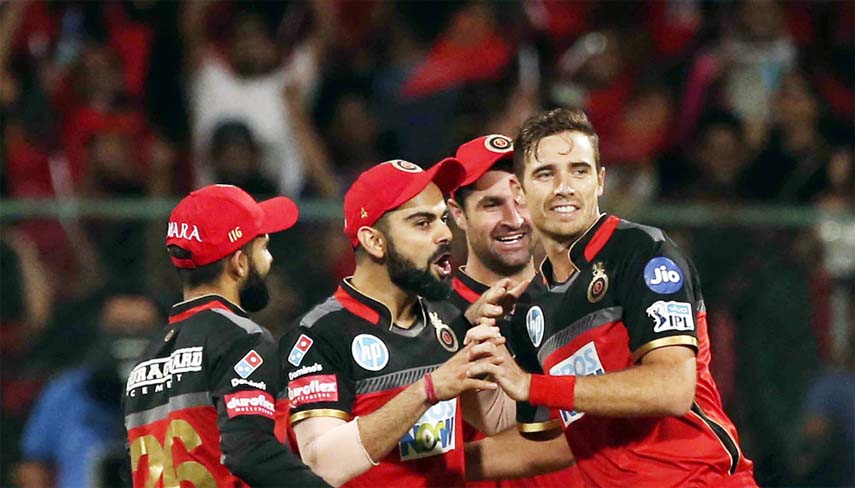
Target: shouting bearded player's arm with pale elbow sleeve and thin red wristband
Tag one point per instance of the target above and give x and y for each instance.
(325, 442)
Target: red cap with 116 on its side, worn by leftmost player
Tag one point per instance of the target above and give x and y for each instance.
(217, 220)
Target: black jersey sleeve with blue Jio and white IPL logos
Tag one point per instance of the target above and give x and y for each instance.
(658, 291)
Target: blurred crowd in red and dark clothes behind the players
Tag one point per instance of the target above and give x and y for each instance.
(728, 103)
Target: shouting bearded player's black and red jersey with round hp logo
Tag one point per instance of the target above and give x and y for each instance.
(347, 358)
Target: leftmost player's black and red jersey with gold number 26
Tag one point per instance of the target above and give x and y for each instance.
(199, 407)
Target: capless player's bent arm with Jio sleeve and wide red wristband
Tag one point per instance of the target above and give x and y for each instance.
(661, 321)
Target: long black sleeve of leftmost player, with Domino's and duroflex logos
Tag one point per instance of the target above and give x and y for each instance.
(244, 379)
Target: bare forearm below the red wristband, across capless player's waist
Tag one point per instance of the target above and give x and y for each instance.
(509, 455)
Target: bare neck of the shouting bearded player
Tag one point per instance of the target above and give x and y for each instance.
(374, 282)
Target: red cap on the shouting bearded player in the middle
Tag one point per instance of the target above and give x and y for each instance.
(389, 185)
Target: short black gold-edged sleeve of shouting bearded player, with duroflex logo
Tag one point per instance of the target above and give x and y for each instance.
(318, 373)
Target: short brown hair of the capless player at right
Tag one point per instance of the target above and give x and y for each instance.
(549, 123)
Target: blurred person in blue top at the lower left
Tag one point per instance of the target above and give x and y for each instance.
(76, 424)
